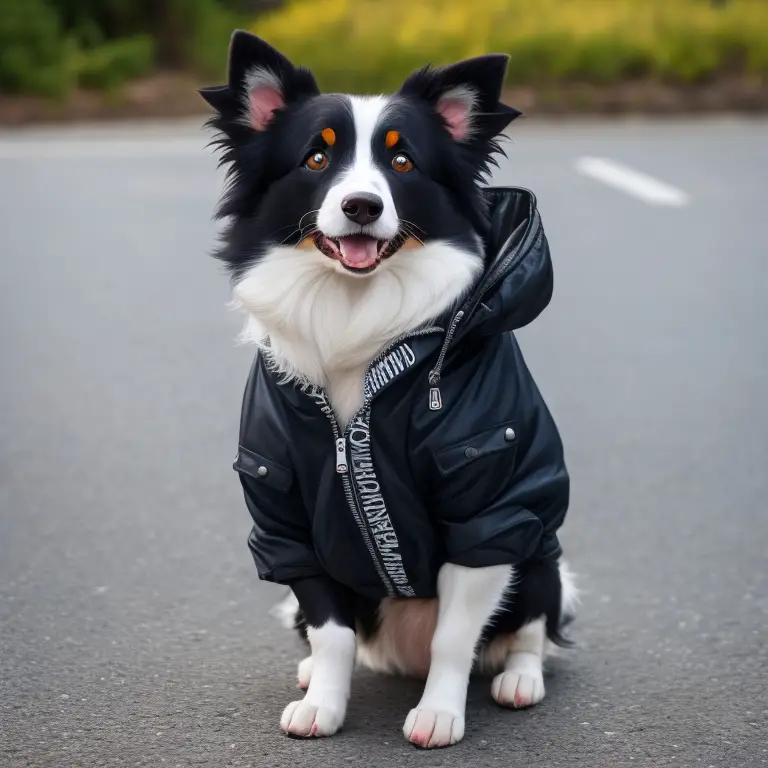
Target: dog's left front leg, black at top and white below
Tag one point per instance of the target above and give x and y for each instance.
(327, 609)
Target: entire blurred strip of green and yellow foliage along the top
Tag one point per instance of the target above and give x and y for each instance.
(51, 47)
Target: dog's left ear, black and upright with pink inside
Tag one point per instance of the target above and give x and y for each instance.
(260, 81)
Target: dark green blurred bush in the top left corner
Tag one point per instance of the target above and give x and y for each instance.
(49, 46)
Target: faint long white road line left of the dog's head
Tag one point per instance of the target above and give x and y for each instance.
(42, 149)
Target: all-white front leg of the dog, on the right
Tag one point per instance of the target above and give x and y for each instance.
(467, 598)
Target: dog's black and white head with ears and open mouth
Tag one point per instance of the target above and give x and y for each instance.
(353, 181)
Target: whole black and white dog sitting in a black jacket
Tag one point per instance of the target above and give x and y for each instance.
(403, 473)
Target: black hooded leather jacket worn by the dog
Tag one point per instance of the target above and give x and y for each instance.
(453, 456)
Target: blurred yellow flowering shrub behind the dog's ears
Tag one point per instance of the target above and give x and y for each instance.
(370, 44)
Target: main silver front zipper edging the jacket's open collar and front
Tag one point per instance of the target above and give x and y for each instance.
(342, 458)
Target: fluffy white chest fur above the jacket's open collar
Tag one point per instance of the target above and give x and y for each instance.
(325, 326)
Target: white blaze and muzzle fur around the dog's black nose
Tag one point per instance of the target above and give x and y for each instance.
(363, 175)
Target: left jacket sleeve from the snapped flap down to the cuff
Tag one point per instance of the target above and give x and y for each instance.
(280, 540)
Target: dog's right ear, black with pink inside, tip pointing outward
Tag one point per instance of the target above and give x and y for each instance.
(467, 96)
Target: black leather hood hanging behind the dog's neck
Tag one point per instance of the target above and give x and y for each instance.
(516, 284)
